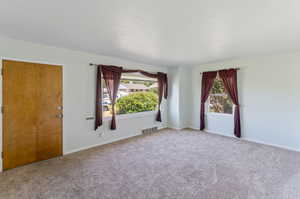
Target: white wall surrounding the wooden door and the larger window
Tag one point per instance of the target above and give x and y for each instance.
(79, 95)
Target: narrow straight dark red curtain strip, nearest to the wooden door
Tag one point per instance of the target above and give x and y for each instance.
(98, 110)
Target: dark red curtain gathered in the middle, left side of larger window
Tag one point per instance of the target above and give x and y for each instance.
(112, 77)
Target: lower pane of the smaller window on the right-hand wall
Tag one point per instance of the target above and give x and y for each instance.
(220, 104)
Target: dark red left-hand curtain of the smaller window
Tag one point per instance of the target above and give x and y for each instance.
(207, 83)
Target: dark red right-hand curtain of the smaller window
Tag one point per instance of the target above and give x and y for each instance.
(229, 78)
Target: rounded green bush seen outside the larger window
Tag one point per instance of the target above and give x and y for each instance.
(137, 102)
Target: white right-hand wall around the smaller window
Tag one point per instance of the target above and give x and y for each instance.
(269, 92)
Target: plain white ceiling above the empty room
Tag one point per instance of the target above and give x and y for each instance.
(163, 32)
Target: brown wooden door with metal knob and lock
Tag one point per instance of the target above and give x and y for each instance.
(32, 112)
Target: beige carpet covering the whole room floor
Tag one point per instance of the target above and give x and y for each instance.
(169, 164)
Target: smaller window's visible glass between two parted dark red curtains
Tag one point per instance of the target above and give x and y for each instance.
(219, 101)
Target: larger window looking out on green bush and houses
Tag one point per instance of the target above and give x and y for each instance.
(136, 93)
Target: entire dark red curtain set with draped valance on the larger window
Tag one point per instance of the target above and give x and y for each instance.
(112, 77)
